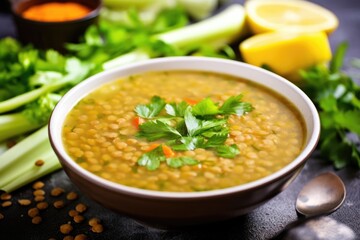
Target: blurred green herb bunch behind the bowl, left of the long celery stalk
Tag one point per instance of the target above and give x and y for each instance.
(108, 40)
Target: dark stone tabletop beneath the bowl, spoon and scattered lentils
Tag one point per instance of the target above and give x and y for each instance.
(263, 223)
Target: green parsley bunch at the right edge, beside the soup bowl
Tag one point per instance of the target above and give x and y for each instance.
(337, 98)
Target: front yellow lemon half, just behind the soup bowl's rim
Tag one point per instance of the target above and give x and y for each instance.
(286, 53)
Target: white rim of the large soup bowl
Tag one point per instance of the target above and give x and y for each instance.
(55, 131)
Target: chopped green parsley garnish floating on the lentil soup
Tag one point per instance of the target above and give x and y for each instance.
(186, 127)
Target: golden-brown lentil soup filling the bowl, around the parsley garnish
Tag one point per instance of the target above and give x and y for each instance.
(101, 132)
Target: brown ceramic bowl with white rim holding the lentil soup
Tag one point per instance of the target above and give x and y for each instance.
(170, 209)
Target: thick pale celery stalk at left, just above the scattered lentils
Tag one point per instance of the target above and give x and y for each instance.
(17, 165)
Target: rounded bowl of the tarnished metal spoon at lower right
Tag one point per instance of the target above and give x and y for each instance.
(323, 194)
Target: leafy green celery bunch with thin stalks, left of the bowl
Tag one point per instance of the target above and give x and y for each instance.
(32, 82)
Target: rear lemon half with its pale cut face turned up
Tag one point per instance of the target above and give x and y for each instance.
(289, 15)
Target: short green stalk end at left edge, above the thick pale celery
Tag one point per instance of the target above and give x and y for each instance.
(15, 124)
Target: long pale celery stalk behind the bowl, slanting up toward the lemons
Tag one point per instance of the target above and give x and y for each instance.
(216, 31)
